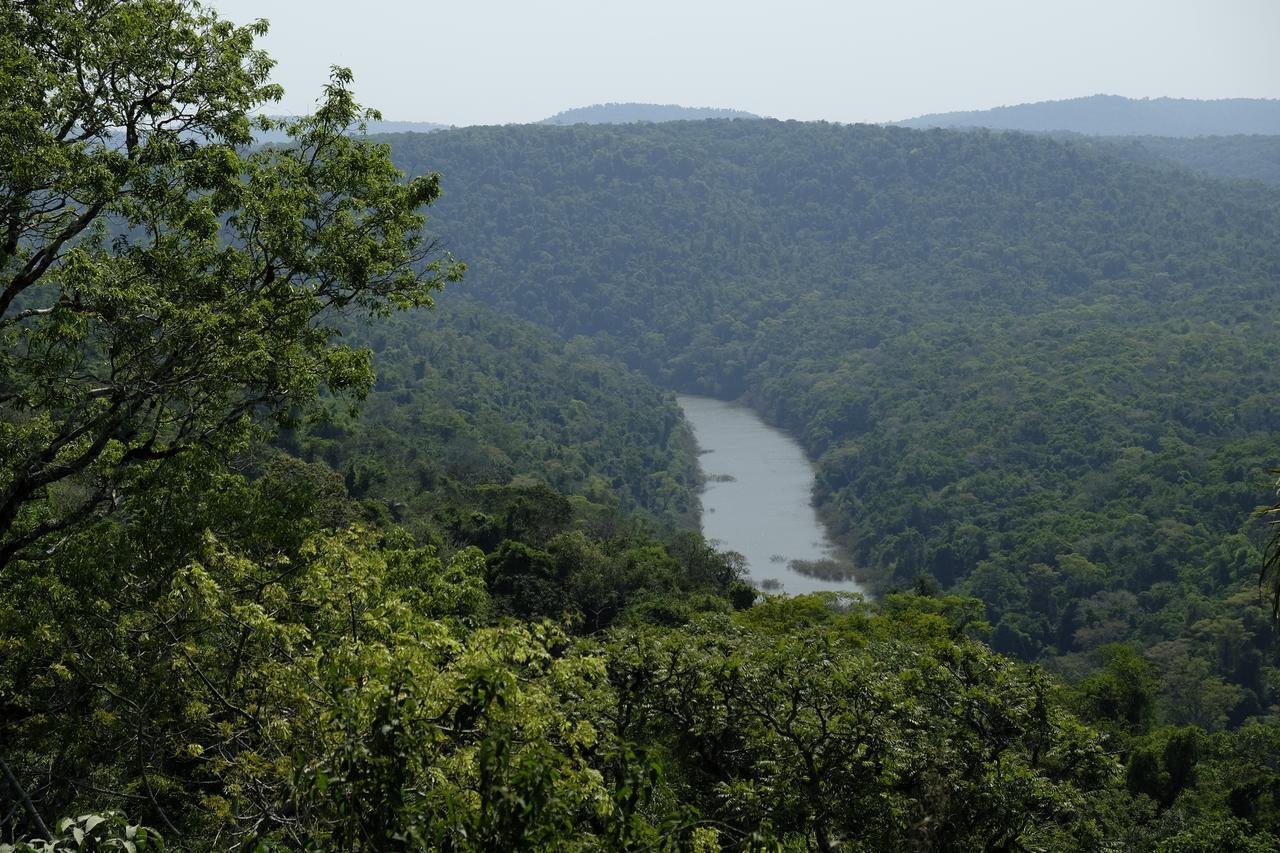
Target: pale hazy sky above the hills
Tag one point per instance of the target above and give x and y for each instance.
(491, 62)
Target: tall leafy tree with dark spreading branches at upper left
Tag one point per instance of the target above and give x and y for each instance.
(161, 286)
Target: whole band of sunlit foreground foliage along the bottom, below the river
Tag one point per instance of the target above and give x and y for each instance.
(271, 686)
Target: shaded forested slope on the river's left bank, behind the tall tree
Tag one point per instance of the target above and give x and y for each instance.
(474, 396)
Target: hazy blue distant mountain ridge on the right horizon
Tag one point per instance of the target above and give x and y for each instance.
(1117, 116)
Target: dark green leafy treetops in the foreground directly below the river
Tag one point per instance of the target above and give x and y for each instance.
(868, 731)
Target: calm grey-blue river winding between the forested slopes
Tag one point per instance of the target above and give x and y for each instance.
(760, 496)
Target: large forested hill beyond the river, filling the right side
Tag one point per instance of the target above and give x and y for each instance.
(1028, 371)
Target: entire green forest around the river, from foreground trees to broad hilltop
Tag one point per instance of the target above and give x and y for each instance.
(345, 501)
